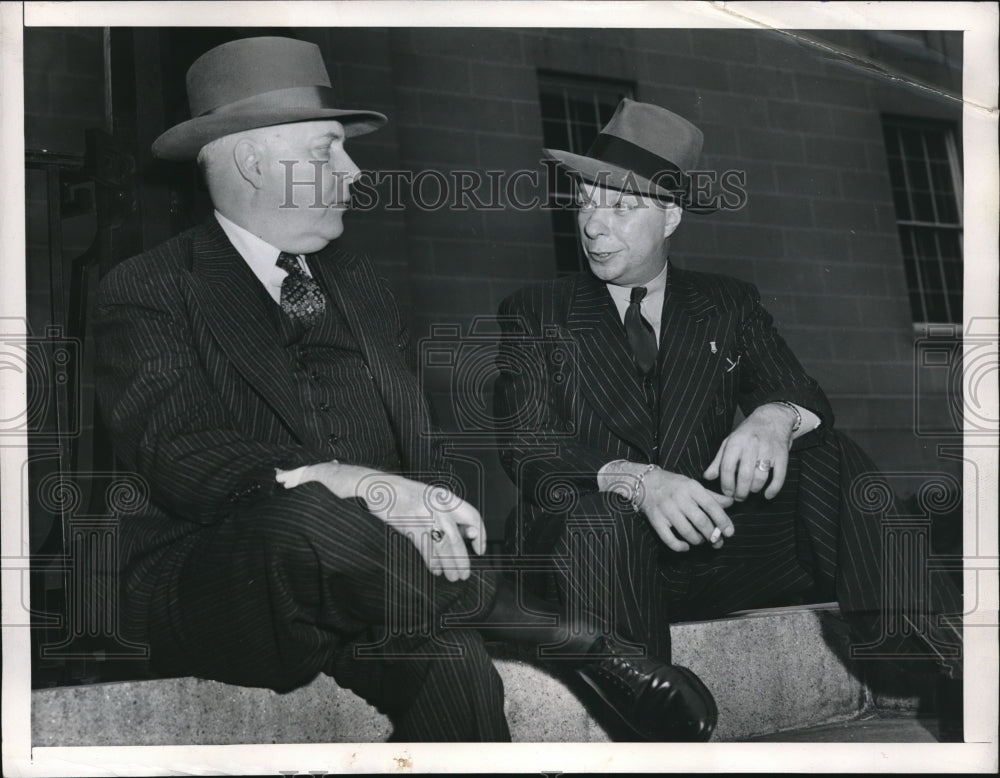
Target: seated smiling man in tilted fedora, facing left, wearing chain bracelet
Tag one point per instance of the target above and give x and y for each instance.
(616, 402)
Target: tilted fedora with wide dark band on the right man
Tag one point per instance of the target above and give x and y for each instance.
(644, 149)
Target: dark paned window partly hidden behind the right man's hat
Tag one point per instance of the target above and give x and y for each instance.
(573, 111)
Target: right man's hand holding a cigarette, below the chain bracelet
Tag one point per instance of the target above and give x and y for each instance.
(675, 503)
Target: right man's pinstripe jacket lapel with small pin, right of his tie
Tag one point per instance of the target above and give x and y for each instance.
(689, 368)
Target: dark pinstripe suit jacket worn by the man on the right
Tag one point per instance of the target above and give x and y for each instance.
(569, 398)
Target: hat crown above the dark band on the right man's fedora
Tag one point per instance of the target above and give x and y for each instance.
(658, 131)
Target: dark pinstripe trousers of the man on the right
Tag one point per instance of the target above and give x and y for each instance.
(815, 541)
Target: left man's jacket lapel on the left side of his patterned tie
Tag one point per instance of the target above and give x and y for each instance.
(230, 298)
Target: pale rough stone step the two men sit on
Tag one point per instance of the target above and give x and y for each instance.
(769, 670)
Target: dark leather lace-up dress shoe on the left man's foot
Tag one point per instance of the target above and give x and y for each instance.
(656, 700)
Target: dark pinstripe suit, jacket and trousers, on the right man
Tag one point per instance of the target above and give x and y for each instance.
(569, 399)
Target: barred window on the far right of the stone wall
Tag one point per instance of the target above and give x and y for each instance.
(926, 189)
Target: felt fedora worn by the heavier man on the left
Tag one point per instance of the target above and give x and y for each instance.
(257, 82)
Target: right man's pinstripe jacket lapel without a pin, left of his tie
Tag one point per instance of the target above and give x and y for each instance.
(609, 380)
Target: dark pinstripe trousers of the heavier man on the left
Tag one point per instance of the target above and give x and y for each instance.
(282, 590)
